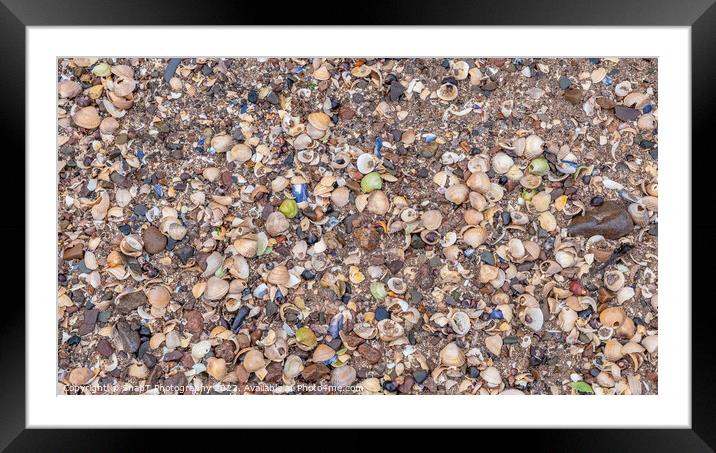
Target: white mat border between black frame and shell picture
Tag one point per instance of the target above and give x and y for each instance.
(671, 408)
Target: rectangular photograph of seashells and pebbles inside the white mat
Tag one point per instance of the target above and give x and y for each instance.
(421, 226)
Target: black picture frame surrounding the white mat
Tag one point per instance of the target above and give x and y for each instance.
(16, 15)
